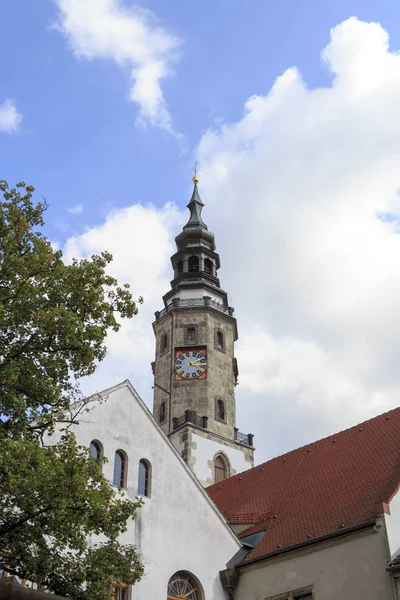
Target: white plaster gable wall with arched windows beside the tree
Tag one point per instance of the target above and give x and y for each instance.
(178, 528)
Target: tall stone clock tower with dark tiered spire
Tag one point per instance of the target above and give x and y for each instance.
(195, 371)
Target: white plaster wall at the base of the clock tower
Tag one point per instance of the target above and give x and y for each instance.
(206, 450)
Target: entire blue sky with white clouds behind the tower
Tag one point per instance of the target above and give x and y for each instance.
(292, 110)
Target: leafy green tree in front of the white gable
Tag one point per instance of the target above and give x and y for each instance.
(54, 319)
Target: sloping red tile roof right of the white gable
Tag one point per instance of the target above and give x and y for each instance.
(322, 488)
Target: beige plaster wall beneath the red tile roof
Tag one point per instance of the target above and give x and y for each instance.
(353, 568)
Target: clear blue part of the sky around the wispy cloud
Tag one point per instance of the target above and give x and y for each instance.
(78, 143)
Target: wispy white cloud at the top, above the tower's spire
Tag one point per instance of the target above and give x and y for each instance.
(130, 37)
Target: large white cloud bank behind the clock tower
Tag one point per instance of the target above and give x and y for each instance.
(303, 196)
